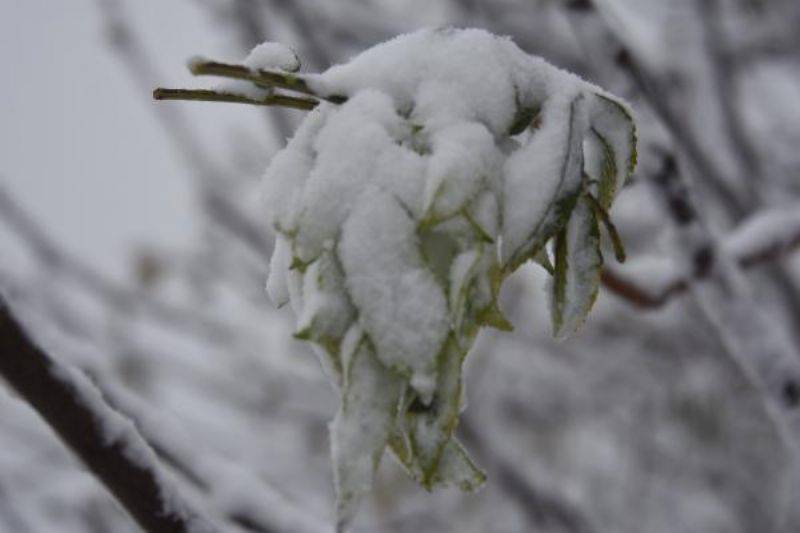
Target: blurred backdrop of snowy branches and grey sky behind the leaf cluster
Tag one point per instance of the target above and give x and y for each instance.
(131, 239)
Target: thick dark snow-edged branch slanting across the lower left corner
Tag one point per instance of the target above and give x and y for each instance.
(105, 441)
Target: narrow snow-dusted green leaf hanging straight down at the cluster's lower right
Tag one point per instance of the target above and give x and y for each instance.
(577, 270)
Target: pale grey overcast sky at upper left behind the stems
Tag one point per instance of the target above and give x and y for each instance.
(79, 143)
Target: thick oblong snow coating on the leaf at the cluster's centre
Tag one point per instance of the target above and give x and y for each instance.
(401, 305)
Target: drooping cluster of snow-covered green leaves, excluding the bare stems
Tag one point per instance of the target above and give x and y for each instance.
(453, 159)
